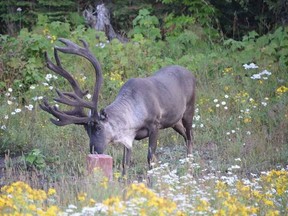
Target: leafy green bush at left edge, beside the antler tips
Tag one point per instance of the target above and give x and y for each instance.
(22, 60)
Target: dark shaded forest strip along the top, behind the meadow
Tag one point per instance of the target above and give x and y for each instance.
(230, 18)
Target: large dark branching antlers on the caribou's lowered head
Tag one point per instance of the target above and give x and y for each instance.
(77, 115)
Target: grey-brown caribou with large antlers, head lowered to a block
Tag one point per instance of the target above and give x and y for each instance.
(142, 107)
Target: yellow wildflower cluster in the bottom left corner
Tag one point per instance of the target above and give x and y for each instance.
(20, 199)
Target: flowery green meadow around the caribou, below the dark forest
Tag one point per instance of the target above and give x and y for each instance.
(239, 161)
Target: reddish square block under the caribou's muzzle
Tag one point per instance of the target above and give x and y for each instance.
(101, 161)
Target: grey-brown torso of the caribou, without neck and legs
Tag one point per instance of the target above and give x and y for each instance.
(163, 97)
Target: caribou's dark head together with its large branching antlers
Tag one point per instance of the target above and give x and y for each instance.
(93, 122)
